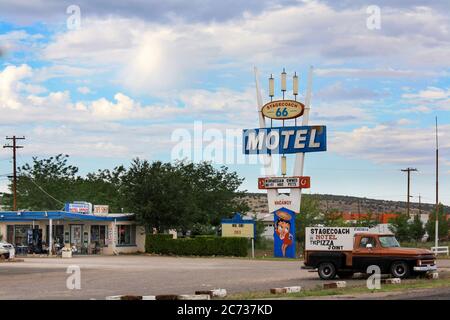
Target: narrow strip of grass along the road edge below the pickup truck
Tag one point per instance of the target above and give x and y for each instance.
(360, 289)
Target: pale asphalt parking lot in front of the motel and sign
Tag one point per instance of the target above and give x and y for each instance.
(101, 276)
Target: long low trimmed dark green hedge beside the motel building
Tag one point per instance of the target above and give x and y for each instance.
(198, 246)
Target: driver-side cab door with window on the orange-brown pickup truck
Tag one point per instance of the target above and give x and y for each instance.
(366, 253)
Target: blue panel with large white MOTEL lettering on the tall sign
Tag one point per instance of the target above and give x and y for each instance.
(284, 140)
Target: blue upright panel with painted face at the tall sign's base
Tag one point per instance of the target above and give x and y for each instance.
(284, 233)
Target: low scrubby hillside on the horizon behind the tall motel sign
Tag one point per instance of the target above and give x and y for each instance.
(258, 203)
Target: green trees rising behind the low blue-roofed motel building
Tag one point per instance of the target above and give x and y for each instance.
(46, 184)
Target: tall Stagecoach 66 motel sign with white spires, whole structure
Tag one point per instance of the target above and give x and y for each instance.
(284, 130)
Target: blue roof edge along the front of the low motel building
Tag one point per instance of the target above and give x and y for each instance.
(25, 216)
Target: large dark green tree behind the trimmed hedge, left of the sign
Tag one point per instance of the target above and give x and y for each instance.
(181, 195)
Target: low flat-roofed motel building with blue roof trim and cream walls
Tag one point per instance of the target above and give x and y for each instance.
(87, 233)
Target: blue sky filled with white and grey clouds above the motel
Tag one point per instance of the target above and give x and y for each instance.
(133, 79)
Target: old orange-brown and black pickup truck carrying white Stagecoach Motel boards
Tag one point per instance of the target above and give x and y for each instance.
(382, 250)
